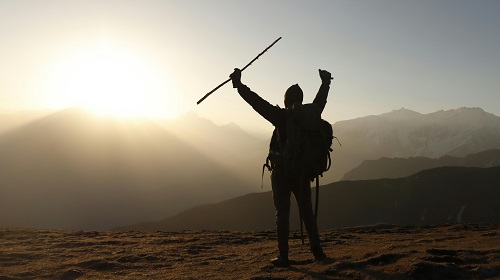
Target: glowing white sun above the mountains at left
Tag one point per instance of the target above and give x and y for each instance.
(112, 81)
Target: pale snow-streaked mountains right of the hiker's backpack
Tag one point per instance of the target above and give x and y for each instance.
(404, 133)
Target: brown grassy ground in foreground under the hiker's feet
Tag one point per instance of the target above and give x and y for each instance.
(374, 252)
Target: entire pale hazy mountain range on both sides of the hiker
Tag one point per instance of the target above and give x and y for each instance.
(74, 170)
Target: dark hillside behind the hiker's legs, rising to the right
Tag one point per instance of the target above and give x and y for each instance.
(435, 196)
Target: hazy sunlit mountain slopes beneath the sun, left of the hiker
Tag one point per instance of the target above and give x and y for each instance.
(76, 170)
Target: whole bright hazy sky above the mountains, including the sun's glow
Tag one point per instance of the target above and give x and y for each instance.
(160, 57)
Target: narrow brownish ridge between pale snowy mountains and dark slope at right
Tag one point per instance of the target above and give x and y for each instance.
(402, 167)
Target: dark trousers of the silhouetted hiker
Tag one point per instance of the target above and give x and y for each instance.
(282, 187)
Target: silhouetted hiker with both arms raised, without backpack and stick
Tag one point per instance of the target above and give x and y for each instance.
(285, 184)
